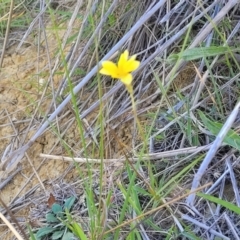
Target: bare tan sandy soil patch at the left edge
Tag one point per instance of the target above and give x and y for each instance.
(23, 80)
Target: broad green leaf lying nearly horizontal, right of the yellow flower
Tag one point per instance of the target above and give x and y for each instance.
(201, 52)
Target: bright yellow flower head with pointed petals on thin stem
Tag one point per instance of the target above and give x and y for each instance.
(122, 70)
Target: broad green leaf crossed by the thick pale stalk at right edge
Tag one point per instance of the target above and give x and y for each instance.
(231, 138)
